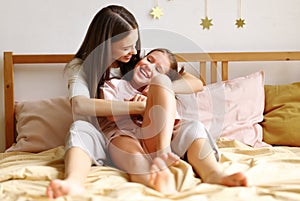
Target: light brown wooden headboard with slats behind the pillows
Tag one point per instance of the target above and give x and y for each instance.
(11, 59)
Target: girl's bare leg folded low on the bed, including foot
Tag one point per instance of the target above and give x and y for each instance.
(128, 155)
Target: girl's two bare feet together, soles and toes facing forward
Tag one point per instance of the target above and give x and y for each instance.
(161, 178)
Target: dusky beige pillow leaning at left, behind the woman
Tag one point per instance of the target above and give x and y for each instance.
(42, 124)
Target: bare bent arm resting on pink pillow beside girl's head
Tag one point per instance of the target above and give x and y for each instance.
(187, 84)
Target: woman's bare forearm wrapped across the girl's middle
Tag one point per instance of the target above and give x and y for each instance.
(82, 105)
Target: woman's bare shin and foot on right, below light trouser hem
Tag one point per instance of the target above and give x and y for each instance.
(207, 167)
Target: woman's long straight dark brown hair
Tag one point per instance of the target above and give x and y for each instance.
(109, 25)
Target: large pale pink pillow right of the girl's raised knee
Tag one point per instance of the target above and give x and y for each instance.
(230, 109)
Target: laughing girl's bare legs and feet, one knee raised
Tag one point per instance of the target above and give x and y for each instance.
(157, 127)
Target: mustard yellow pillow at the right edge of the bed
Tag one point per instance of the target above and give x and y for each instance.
(281, 125)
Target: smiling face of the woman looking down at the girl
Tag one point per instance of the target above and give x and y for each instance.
(123, 49)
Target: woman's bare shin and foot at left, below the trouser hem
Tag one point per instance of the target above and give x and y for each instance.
(77, 166)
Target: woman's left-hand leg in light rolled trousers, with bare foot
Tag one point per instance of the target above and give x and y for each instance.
(84, 143)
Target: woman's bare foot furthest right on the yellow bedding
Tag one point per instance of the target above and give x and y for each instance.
(233, 180)
